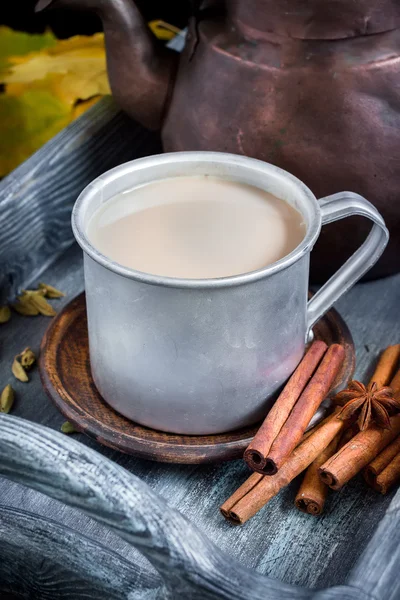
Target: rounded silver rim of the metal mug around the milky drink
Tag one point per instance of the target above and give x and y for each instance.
(90, 192)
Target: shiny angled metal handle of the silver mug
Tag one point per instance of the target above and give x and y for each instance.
(335, 207)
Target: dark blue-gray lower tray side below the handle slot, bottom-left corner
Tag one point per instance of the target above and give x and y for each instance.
(43, 559)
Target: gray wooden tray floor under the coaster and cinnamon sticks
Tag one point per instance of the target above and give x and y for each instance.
(279, 541)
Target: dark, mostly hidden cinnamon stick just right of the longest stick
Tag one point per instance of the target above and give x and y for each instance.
(313, 491)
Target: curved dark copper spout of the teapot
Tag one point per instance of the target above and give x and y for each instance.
(141, 73)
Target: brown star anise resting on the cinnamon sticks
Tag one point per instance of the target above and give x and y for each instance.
(369, 404)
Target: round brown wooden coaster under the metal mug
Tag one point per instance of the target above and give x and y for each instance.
(66, 376)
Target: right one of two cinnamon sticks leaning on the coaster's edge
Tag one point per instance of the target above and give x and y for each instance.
(301, 414)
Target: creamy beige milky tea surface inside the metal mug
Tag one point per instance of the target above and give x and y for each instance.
(196, 227)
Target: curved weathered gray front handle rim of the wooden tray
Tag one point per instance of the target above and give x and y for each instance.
(190, 565)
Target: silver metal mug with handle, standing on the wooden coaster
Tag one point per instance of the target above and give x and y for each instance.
(206, 356)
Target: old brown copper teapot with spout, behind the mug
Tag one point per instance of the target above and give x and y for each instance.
(312, 86)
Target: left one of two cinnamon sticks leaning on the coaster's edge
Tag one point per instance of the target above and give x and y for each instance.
(256, 453)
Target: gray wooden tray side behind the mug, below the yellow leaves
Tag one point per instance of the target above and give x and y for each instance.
(36, 199)
